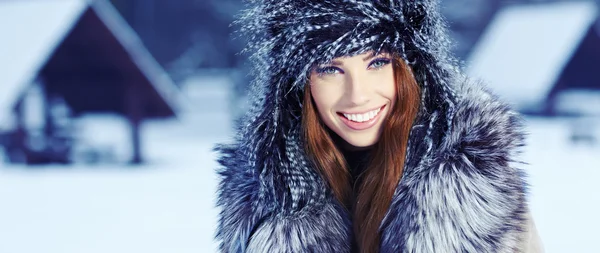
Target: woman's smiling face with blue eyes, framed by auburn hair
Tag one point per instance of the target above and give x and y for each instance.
(354, 95)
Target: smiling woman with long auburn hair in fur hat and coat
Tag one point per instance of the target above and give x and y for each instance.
(364, 137)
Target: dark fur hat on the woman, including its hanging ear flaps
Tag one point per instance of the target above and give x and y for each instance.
(288, 37)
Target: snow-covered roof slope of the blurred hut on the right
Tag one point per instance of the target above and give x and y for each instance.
(524, 49)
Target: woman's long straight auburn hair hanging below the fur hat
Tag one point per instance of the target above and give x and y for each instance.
(384, 170)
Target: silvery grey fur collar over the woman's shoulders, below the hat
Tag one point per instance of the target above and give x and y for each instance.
(459, 193)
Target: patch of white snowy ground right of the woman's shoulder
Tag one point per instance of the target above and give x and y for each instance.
(564, 188)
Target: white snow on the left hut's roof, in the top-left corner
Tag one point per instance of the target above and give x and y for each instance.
(30, 31)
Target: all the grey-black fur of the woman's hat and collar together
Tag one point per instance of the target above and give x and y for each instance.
(460, 191)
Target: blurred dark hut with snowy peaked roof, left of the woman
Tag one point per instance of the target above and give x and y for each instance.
(75, 58)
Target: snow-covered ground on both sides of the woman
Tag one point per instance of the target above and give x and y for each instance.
(168, 204)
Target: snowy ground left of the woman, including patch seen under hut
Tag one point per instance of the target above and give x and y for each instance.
(165, 205)
